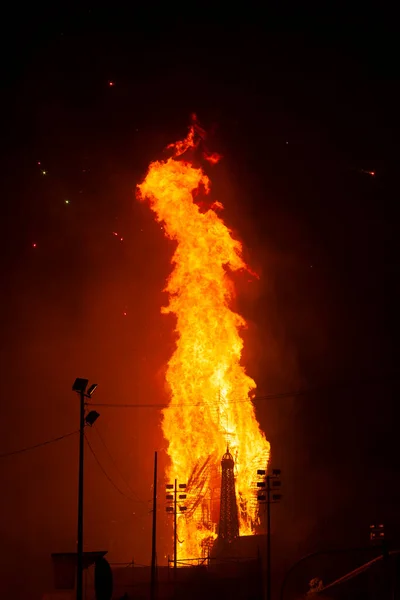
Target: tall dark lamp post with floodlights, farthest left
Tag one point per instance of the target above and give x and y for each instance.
(79, 387)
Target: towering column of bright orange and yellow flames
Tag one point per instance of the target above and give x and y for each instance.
(210, 406)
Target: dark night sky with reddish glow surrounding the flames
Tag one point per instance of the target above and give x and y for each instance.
(302, 116)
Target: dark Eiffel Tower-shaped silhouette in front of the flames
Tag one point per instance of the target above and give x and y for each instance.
(228, 519)
